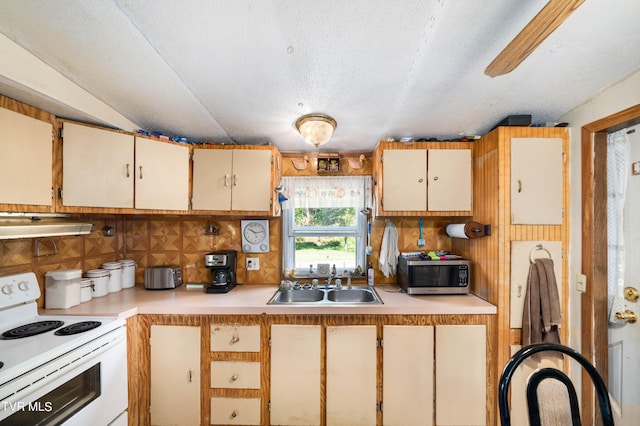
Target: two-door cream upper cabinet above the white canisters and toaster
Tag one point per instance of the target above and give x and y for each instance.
(113, 170)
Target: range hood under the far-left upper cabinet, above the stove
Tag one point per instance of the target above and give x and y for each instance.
(32, 225)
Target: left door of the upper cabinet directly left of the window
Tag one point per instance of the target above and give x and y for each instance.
(212, 169)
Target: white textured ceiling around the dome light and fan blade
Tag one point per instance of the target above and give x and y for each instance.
(241, 71)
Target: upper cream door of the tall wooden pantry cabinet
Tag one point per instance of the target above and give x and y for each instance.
(536, 181)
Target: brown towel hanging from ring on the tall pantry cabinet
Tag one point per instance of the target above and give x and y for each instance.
(542, 313)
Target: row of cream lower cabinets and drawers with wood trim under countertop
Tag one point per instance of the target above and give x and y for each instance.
(409, 370)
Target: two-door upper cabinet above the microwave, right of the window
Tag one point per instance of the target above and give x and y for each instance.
(423, 179)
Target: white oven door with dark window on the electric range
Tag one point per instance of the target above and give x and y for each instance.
(93, 392)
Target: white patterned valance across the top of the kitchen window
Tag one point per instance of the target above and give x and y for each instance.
(327, 191)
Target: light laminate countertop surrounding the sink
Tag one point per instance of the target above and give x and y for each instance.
(252, 300)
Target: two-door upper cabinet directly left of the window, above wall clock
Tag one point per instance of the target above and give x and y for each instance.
(234, 180)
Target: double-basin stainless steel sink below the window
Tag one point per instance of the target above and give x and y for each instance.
(356, 295)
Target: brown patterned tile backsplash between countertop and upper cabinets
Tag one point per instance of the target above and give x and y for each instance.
(181, 240)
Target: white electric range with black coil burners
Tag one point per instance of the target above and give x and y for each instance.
(58, 369)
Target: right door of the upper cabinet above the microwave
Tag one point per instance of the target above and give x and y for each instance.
(449, 184)
